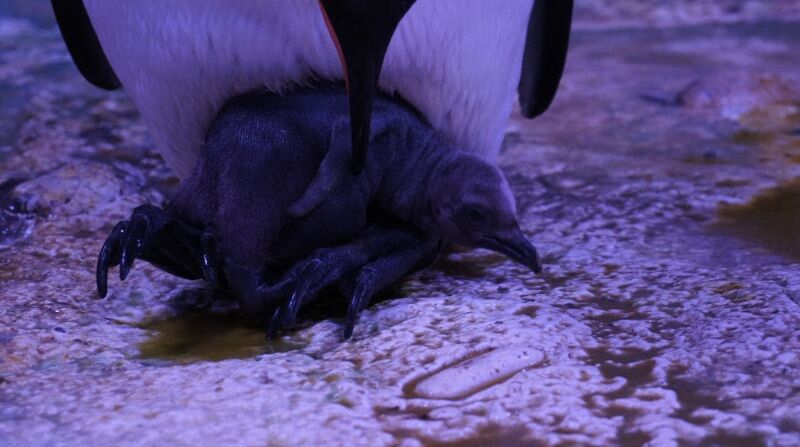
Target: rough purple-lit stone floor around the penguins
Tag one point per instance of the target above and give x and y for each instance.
(662, 187)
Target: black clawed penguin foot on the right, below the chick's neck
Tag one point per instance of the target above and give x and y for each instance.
(362, 268)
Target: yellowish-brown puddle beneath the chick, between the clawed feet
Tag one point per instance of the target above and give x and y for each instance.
(196, 336)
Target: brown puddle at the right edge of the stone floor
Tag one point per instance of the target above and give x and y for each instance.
(771, 219)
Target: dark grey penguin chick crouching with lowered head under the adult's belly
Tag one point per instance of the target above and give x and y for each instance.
(231, 223)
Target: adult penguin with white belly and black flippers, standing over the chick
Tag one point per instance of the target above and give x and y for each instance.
(459, 62)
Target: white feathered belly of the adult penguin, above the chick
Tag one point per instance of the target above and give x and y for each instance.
(457, 61)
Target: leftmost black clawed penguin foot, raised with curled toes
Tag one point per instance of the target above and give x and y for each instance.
(154, 236)
